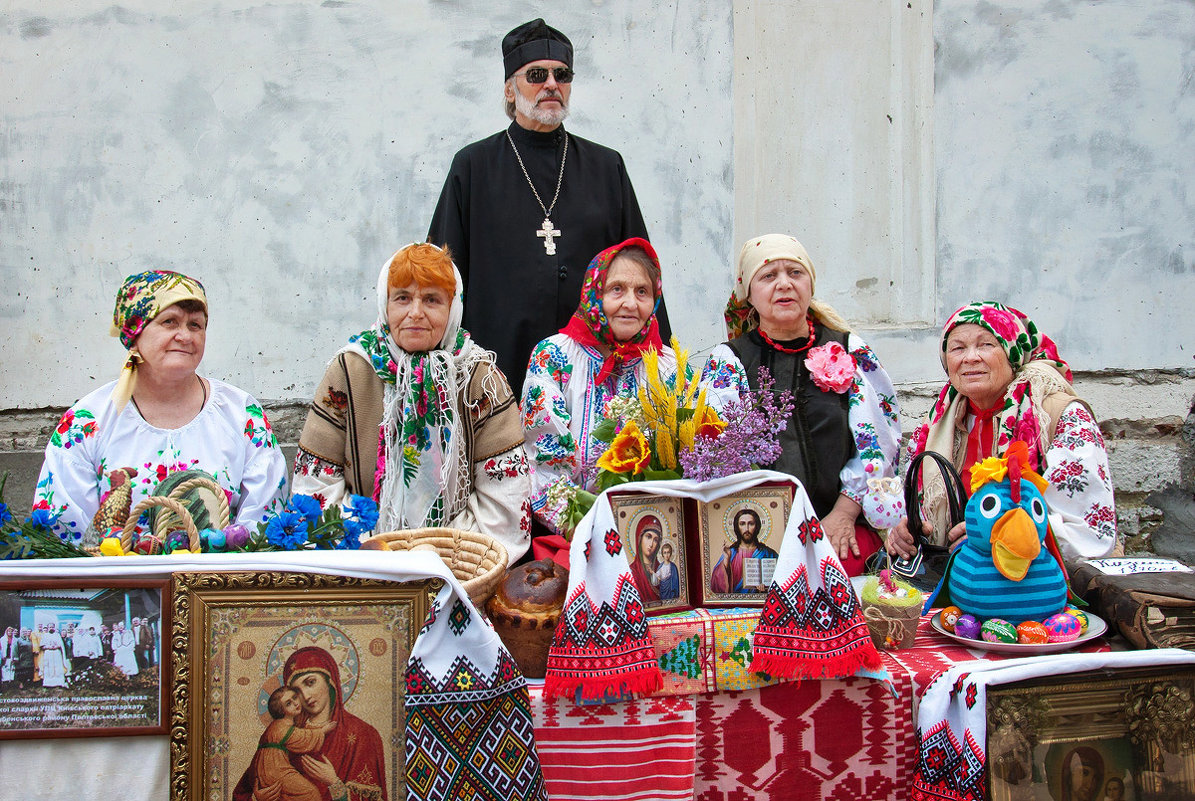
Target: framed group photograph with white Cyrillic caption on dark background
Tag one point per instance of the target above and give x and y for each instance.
(83, 658)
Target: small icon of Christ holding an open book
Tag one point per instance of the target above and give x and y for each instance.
(738, 542)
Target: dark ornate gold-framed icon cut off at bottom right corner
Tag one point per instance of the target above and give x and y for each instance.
(1124, 736)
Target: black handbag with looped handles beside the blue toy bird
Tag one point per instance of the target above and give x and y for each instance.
(926, 567)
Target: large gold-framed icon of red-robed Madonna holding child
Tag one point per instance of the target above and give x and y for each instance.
(273, 668)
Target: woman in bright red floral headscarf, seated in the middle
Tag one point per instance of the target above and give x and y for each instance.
(596, 358)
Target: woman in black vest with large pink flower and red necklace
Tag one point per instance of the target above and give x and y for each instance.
(844, 429)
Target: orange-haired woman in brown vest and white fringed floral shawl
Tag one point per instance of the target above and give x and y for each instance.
(416, 415)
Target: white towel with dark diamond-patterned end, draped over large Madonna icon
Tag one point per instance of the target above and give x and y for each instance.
(469, 724)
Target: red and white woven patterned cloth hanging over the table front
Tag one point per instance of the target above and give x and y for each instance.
(849, 738)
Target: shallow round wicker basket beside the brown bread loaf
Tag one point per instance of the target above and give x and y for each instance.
(479, 561)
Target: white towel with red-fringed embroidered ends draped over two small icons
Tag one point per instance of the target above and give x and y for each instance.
(812, 623)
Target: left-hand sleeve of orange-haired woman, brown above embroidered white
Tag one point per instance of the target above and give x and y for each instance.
(320, 463)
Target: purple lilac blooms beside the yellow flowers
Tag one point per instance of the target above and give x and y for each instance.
(752, 436)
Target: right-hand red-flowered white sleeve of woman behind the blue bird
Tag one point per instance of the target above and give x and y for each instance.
(1083, 512)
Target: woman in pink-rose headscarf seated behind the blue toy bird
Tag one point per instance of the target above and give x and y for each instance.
(1008, 383)
